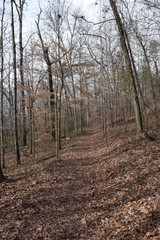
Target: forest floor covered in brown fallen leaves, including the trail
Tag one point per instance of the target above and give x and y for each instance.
(100, 188)
